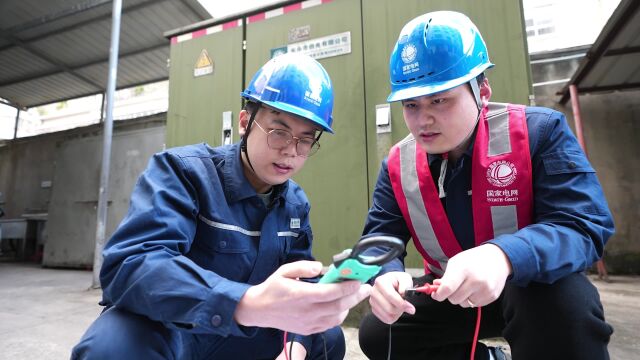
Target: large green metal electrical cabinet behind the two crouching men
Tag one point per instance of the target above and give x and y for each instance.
(339, 179)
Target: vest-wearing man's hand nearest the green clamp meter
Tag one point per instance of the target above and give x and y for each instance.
(386, 300)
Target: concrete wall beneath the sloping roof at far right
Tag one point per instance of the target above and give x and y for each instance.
(611, 127)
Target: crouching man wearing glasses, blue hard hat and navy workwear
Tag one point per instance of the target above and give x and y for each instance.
(206, 262)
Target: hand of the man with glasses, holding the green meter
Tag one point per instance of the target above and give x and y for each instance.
(285, 303)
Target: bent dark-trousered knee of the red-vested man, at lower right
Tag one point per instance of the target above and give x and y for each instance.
(567, 315)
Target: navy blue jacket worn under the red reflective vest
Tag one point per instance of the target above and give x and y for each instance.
(571, 223)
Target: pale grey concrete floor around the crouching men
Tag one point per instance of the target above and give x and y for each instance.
(43, 313)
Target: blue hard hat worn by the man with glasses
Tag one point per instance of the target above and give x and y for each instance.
(296, 84)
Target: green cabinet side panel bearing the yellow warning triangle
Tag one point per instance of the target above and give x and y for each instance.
(205, 80)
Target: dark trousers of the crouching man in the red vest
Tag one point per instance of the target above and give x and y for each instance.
(563, 320)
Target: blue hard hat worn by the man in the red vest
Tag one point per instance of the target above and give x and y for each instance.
(436, 52)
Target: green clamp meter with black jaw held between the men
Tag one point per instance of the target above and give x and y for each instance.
(352, 265)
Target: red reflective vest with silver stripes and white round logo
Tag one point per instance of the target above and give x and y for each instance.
(501, 197)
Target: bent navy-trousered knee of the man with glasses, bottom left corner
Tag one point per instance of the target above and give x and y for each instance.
(118, 334)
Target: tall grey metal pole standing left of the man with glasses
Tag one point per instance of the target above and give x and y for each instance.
(103, 197)
